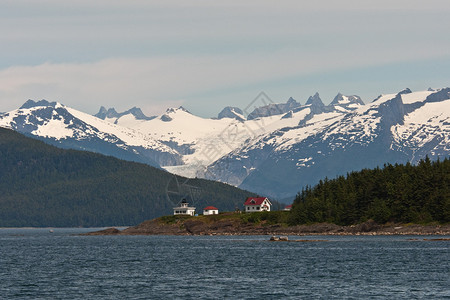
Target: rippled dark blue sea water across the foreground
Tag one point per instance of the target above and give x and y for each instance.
(37, 264)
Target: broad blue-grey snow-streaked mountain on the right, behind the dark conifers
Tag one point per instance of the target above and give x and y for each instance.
(394, 128)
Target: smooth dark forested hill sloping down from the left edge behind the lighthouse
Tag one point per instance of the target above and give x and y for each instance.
(41, 185)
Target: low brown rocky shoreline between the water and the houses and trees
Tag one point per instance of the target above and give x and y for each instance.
(193, 226)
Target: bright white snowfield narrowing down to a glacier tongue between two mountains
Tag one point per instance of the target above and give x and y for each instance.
(201, 141)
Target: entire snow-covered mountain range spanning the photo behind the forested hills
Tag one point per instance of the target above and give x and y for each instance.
(273, 149)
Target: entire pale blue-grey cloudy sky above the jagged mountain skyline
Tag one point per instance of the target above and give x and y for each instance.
(205, 55)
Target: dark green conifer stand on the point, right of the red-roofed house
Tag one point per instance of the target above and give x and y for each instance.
(397, 193)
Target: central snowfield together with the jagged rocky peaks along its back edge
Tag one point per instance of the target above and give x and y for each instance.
(202, 141)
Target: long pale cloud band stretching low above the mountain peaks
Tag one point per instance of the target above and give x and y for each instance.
(161, 81)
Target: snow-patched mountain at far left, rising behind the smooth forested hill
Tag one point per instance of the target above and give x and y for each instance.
(69, 128)
